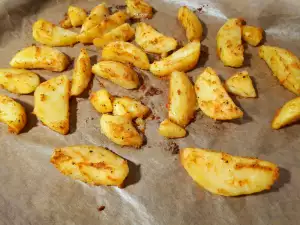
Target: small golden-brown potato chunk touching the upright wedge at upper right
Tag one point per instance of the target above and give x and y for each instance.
(252, 35)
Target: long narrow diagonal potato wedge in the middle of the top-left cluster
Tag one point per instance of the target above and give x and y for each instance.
(105, 26)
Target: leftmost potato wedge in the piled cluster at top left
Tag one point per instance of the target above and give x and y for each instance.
(49, 34)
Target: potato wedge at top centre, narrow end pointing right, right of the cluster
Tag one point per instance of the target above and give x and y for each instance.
(152, 41)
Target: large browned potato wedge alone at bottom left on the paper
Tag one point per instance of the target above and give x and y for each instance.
(91, 164)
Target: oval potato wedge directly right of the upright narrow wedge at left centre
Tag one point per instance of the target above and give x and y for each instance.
(117, 73)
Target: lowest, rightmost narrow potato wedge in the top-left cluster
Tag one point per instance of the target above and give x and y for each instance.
(122, 33)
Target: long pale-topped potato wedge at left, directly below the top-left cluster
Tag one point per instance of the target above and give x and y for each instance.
(42, 57)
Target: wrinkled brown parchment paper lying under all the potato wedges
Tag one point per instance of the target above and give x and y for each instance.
(158, 190)
